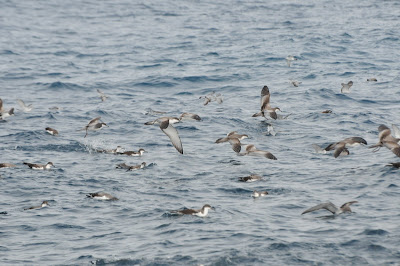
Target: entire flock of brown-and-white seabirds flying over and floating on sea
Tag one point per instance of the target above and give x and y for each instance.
(233, 138)
